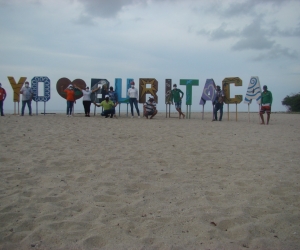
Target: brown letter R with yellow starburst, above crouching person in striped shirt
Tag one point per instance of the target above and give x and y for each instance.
(143, 89)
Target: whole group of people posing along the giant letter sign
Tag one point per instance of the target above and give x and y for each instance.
(111, 101)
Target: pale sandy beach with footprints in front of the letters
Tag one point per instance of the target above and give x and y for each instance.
(96, 183)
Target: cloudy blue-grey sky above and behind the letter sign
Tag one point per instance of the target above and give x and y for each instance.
(161, 39)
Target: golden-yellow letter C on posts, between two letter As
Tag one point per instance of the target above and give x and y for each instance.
(226, 89)
